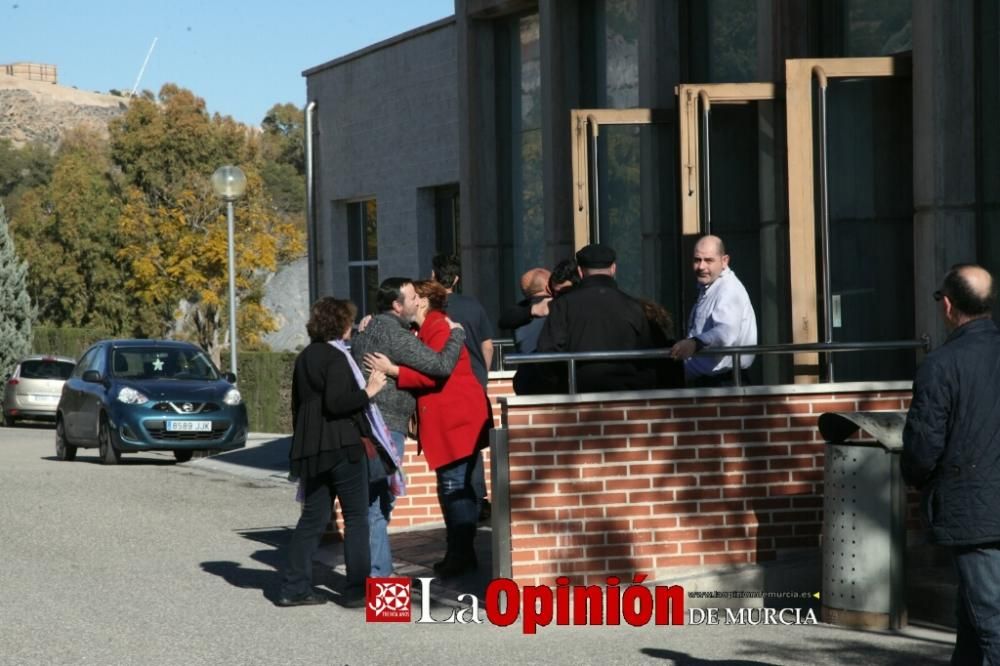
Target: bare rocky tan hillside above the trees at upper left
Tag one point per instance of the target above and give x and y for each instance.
(40, 111)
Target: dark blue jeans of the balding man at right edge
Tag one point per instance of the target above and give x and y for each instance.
(978, 631)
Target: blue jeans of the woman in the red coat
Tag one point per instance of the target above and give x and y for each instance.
(460, 487)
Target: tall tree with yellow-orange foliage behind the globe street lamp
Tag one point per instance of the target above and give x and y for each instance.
(173, 227)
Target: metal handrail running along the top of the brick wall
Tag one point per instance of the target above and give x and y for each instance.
(792, 348)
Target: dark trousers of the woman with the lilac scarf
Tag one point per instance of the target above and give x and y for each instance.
(348, 481)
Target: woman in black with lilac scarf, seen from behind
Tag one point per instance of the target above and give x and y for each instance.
(328, 410)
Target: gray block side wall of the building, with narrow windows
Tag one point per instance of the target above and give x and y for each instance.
(386, 126)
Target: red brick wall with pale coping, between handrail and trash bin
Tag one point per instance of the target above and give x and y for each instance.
(601, 488)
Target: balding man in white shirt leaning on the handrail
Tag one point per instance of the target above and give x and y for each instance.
(722, 317)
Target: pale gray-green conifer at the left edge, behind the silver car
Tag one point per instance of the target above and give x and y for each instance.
(15, 305)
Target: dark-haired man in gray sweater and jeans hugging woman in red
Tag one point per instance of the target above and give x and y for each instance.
(389, 333)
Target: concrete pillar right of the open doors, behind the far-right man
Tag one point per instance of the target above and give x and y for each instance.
(944, 149)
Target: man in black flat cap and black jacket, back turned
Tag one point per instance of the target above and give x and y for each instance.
(597, 316)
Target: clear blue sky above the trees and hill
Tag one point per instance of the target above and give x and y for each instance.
(242, 56)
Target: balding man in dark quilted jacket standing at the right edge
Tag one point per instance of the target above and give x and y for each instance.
(951, 451)
